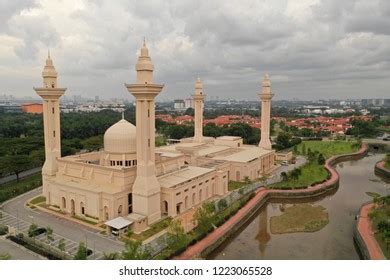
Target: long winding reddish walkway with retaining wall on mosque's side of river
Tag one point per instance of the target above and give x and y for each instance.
(215, 238)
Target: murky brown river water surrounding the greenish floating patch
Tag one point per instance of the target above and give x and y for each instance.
(334, 241)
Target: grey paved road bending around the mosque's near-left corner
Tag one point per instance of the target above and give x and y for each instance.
(71, 231)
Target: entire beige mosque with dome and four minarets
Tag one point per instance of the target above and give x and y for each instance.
(131, 182)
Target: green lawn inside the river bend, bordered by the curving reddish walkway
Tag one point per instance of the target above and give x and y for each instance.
(311, 173)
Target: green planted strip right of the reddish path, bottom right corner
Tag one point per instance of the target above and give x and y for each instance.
(380, 217)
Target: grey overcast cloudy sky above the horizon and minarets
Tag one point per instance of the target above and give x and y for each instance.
(311, 48)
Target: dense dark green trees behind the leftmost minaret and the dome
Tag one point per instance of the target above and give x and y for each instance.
(22, 141)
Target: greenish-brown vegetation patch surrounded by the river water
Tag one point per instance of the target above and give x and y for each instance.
(300, 218)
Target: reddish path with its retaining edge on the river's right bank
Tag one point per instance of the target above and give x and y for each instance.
(364, 235)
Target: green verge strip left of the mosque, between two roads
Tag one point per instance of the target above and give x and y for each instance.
(13, 189)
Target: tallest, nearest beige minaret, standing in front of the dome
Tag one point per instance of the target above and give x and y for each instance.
(146, 188)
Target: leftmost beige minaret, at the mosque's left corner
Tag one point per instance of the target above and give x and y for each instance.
(51, 121)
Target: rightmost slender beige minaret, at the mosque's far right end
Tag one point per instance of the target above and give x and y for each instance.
(265, 97)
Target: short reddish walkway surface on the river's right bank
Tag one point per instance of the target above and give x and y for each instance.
(365, 229)
